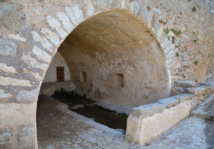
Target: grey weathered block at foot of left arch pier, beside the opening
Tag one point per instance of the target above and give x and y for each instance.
(25, 136)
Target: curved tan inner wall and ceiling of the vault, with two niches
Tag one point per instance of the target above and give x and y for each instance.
(117, 42)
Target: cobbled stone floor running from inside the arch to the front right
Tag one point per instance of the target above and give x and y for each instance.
(61, 128)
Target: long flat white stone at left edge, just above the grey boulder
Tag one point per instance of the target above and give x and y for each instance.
(5, 81)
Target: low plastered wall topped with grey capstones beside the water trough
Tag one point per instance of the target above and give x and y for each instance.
(147, 122)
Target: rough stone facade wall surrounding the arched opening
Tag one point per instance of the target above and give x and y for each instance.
(32, 31)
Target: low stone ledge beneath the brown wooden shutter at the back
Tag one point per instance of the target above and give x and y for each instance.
(49, 88)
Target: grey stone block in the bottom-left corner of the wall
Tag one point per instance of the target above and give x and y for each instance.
(5, 138)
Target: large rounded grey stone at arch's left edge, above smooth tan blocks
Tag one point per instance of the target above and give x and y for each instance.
(27, 96)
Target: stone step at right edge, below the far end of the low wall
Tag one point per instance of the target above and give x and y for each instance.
(205, 109)
